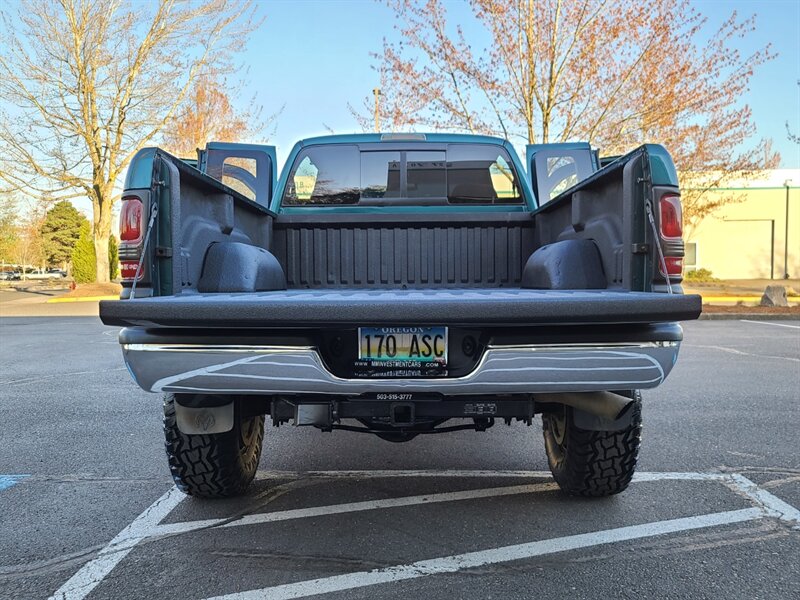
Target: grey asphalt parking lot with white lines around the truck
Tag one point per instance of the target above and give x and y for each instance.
(87, 508)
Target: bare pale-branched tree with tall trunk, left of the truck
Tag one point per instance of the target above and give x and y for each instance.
(85, 84)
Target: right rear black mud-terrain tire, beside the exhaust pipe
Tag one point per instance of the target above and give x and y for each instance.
(592, 463)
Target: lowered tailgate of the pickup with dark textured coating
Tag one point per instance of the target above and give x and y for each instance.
(453, 307)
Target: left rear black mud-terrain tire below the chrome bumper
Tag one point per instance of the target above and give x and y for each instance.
(216, 465)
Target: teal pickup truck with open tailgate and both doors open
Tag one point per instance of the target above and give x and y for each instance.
(389, 284)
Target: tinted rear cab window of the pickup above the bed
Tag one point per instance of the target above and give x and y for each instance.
(372, 175)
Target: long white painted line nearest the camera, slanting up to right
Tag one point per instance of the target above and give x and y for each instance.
(470, 560)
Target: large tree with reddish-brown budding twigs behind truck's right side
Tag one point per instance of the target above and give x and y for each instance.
(617, 74)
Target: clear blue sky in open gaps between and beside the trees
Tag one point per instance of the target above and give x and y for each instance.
(313, 57)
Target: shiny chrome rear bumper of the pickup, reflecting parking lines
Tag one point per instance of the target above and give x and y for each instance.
(294, 370)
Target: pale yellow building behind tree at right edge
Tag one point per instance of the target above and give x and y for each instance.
(746, 239)
